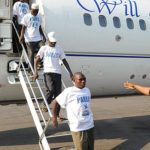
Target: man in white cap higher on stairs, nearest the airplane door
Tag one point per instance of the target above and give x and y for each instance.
(32, 31)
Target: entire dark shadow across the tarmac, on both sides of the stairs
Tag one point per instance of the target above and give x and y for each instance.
(136, 131)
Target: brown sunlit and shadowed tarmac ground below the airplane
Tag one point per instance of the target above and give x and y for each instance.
(121, 123)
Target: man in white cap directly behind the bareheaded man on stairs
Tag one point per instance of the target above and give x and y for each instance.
(51, 54)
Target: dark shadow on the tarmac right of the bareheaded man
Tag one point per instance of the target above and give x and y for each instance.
(136, 131)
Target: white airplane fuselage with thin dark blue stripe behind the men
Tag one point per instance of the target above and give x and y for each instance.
(108, 56)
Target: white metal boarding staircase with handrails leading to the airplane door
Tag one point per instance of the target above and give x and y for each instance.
(30, 91)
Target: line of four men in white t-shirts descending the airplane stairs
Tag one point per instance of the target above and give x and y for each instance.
(75, 99)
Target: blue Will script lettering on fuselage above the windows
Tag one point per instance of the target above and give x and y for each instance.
(131, 7)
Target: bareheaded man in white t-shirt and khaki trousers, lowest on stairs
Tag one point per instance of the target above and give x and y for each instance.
(76, 100)
